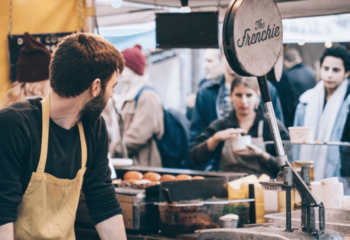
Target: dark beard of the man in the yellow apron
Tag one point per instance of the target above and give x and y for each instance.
(93, 109)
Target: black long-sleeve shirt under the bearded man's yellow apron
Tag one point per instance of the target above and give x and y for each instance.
(20, 145)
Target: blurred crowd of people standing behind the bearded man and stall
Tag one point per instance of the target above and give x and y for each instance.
(225, 107)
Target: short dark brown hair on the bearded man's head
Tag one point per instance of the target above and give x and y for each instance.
(81, 58)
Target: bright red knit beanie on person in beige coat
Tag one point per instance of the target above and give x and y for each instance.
(134, 59)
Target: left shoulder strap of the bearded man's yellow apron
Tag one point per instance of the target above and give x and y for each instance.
(45, 133)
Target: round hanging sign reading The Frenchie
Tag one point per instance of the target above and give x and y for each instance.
(252, 36)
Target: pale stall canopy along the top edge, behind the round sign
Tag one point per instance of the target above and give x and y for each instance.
(139, 11)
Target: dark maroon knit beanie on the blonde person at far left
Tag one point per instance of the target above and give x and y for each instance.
(34, 60)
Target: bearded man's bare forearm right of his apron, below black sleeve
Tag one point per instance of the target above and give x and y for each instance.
(111, 229)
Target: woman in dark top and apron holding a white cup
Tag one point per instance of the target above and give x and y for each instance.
(249, 118)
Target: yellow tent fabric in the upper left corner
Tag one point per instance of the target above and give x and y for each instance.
(33, 16)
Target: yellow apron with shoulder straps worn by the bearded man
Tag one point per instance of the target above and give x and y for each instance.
(49, 204)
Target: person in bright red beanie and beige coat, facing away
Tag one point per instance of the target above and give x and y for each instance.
(143, 117)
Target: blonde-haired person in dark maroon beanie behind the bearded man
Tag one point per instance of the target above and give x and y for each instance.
(32, 72)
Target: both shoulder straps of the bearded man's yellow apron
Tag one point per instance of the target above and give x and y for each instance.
(45, 137)
